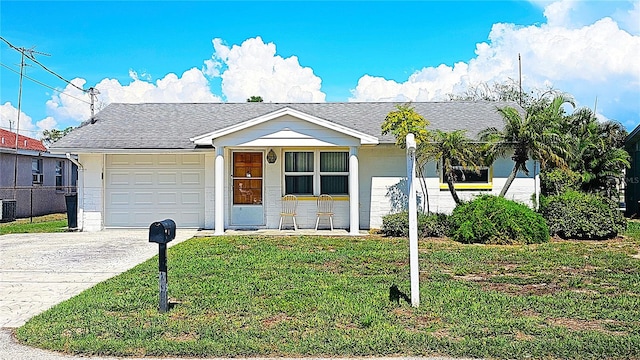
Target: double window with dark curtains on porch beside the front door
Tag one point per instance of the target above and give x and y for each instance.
(316, 172)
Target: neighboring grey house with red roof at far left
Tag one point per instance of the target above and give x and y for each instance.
(39, 181)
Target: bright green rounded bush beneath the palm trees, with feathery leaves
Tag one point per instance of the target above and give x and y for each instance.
(491, 219)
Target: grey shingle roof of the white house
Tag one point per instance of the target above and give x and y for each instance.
(170, 125)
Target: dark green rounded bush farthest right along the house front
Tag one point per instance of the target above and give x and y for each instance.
(577, 215)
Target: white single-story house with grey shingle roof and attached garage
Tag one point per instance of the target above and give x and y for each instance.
(227, 165)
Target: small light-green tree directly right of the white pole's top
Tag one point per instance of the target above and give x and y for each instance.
(453, 150)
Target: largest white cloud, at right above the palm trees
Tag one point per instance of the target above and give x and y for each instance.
(598, 60)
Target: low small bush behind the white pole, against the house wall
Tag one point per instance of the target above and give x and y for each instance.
(397, 224)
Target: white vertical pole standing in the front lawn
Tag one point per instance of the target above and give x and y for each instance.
(413, 221)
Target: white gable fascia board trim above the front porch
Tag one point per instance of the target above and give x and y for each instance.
(207, 139)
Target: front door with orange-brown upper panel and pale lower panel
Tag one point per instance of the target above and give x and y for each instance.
(247, 189)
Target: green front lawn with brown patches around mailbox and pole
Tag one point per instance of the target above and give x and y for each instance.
(314, 296)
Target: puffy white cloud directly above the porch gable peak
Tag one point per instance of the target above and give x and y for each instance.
(254, 69)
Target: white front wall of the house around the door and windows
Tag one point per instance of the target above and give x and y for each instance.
(381, 167)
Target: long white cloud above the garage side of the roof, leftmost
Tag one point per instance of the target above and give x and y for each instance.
(191, 87)
